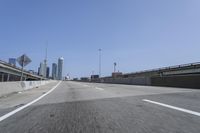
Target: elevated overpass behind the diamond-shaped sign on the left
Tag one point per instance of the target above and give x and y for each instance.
(12, 73)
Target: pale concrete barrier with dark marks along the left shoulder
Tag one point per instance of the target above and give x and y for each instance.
(12, 87)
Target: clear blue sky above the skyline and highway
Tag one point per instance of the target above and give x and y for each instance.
(137, 34)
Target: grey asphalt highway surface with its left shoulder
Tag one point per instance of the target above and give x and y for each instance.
(75, 107)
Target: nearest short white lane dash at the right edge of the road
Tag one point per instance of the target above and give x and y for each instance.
(173, 107)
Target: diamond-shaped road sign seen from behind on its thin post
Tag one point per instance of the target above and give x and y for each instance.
(23, 61)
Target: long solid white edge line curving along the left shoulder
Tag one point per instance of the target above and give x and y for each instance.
(28, 104)
